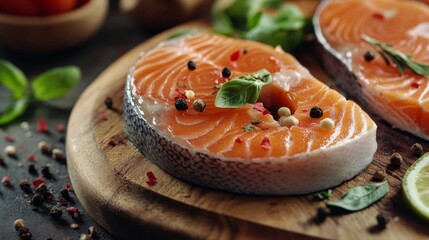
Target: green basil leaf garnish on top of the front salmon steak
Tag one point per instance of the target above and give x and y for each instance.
(241, 90)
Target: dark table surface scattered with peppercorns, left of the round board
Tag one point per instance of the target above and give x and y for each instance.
(117, 36)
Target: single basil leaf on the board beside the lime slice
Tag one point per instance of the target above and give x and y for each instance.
(360, 197)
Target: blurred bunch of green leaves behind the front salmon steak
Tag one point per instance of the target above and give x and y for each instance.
(250, 19)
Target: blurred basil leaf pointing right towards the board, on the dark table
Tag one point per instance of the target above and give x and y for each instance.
(55, 83)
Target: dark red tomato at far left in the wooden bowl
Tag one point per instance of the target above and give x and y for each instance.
(19, 7)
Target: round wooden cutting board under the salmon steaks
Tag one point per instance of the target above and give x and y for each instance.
(110, 181)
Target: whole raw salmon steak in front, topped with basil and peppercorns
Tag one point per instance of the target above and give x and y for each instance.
(244, 149)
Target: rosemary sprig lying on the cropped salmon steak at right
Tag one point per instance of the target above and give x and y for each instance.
(402, 61)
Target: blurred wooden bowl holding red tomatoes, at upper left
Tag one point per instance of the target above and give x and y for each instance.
(52, 33)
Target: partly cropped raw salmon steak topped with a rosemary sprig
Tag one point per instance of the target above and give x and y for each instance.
(401, 99)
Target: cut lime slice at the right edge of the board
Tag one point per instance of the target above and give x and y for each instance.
(415, 186)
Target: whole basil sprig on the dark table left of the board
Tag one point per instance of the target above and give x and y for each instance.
(49, 85)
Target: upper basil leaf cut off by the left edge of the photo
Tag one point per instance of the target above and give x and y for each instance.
(13, 78)
